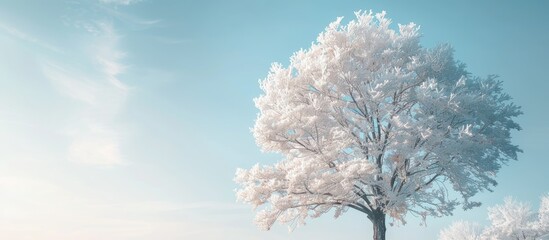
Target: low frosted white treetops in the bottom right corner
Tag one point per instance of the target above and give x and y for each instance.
(510, 221)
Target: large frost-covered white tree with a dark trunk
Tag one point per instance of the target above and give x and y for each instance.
(368, 119)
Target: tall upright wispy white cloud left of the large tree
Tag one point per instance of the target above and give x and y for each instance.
(99, 95)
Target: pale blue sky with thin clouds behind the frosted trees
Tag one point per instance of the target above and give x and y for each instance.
(127, 119)
